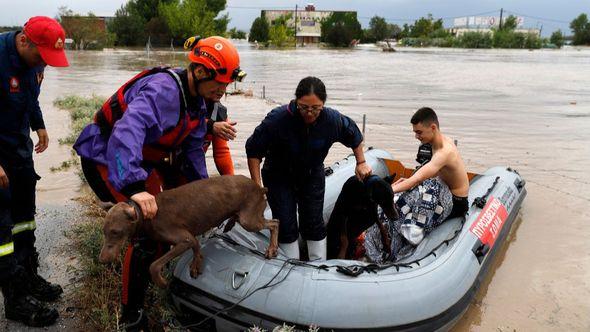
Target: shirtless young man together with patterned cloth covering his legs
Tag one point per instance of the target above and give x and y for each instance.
(435, 193)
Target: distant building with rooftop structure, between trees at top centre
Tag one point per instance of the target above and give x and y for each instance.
(309, 27)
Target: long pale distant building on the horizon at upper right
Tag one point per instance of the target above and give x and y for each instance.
(486, 24)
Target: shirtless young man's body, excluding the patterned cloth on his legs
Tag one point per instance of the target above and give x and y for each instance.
(446, 163)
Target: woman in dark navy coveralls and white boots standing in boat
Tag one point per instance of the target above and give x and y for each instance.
(295, 140)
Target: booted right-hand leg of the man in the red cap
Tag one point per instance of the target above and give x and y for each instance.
(23, 210)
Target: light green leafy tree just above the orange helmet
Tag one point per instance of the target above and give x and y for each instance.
(187, 18)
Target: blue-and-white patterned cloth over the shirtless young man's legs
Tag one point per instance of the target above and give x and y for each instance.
(420, 211)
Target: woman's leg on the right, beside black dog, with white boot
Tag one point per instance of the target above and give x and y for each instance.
(310, 198)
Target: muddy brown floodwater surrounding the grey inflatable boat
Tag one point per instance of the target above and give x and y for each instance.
(526, 109)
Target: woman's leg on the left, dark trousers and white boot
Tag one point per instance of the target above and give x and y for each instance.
(281, 199)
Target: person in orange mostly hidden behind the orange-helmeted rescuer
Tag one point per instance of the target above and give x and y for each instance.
(219, 131)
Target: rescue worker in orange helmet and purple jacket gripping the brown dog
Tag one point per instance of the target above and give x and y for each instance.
(148, 137)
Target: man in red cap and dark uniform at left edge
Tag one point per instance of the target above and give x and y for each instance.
(23, 57)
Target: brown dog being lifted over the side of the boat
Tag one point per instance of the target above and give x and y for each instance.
(187, 211)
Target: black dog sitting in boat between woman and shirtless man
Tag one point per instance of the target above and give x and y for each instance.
(356, 210)
